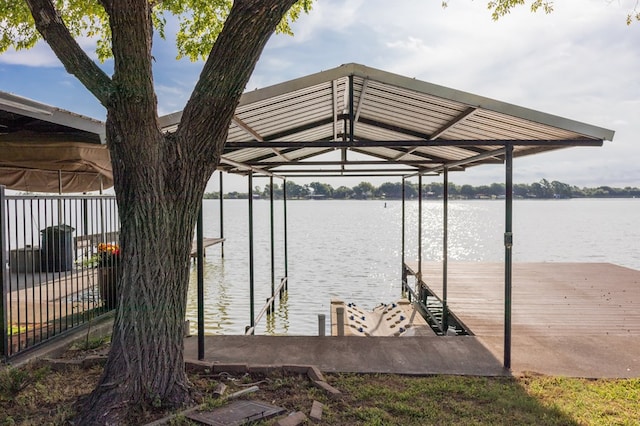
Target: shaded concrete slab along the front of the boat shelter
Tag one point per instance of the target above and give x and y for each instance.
(424, 355)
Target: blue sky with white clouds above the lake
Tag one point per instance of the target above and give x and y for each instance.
(581, 62)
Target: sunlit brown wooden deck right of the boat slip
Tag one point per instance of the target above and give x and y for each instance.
(574, 319)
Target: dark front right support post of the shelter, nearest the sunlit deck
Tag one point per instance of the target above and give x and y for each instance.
(508, 260)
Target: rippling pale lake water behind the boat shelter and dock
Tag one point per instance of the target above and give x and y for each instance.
(351, 250)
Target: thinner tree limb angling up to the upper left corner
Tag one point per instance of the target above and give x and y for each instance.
(73, 58)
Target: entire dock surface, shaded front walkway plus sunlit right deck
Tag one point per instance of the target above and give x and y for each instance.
(569, 319)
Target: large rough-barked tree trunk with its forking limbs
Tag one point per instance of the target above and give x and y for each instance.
(159, 181)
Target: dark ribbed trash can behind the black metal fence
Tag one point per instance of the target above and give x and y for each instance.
(57, 248)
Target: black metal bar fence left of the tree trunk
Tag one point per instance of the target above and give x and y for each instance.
(59, 258)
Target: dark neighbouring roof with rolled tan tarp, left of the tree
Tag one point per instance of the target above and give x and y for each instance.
(48, 149)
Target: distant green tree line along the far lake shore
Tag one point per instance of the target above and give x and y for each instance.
(393, 190)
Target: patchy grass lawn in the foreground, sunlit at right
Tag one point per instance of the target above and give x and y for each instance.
(36, 395)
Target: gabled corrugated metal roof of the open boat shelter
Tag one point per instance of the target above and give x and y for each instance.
(389, 117)
